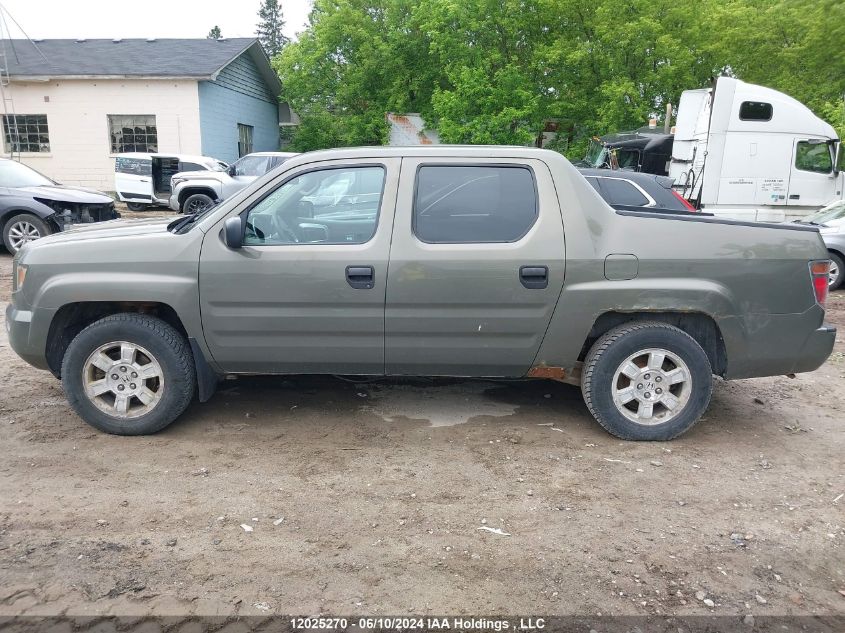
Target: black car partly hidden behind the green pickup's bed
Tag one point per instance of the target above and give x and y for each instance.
(621, 188)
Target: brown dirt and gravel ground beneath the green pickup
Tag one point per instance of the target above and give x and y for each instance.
(306, 495)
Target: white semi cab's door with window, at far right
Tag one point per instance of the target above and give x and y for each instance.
(812, 182)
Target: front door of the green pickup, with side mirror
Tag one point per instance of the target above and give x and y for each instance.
(305, 293)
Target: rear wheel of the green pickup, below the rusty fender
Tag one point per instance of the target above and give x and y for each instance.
(674, 408)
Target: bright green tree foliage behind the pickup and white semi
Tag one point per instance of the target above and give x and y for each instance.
(493, 71)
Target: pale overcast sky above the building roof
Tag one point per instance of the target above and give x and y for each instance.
(144, 18)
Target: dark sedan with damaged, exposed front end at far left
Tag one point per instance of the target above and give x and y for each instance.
(32, 205)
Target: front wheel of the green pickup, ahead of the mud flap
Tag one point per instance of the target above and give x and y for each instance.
(169, 391)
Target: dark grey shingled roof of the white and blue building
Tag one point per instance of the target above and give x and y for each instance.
(200, 59)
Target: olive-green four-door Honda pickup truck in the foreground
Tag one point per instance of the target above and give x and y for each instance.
(435, 261)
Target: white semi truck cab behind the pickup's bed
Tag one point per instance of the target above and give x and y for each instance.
(752, 153)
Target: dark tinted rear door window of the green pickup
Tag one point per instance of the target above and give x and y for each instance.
(473, 203)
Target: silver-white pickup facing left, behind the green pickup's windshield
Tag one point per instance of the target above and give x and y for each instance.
(196, 191)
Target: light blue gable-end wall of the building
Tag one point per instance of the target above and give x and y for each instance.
(238, 95)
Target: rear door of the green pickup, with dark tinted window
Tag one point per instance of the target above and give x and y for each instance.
(476, 267)
